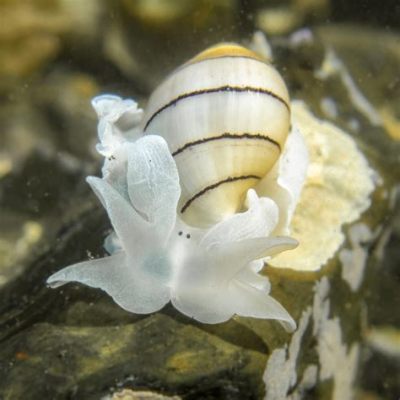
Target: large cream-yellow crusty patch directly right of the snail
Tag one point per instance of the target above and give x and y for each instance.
(337, 190)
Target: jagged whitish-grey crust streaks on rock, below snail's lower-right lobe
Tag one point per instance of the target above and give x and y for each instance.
(336, 360)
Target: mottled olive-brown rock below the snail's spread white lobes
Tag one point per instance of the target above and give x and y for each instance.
(156, 352)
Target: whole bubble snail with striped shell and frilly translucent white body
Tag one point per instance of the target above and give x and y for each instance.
(199, 190)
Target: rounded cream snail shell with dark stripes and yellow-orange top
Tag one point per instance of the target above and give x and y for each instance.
(225, 115)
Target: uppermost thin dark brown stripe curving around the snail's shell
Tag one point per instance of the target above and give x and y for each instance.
(227, 88)
